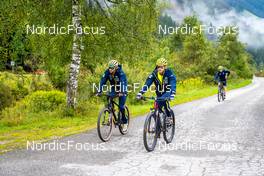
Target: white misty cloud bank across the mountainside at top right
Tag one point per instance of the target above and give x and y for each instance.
(219, 14)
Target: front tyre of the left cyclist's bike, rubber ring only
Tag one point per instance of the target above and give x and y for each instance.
(99, 129)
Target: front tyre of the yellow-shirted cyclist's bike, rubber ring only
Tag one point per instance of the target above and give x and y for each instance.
(146, 129)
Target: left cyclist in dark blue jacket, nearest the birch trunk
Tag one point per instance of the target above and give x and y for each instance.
(118, 81)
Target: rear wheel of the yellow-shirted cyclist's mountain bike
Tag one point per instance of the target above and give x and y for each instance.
(169, 128)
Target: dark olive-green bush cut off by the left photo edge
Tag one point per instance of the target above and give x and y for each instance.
(6, 98)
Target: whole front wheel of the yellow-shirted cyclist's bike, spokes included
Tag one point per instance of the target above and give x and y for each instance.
(150, 132)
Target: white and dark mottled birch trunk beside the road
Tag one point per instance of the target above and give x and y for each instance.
(72, 84)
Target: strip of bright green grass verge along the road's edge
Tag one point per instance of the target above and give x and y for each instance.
(48, 126)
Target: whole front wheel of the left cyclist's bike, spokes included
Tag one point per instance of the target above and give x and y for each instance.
(105, 124)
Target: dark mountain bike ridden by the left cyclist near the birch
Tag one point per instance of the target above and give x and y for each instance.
(110, 116)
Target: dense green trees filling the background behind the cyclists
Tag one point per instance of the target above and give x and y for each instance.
(125, 31)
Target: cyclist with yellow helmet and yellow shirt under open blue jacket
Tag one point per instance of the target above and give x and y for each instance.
(165, 82)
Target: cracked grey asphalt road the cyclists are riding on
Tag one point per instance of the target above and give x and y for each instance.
(211, 139)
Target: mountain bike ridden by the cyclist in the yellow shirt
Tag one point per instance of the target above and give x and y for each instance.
(157, 122)
